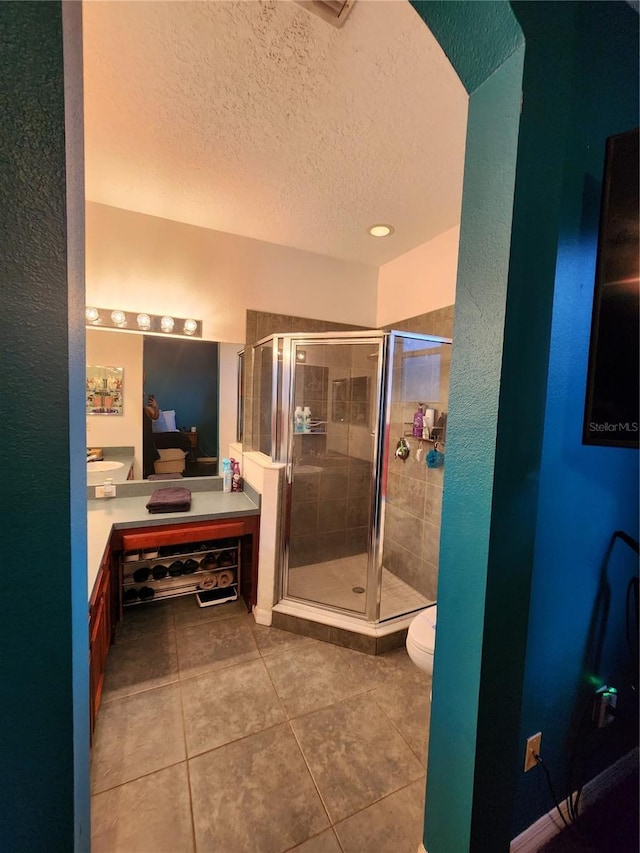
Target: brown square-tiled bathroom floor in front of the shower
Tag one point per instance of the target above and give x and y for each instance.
(217, 735)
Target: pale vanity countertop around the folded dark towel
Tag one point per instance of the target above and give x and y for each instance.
(107, 514)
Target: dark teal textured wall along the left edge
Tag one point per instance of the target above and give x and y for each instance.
(44, 784)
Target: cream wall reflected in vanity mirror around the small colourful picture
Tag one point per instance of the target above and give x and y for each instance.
(118, 349)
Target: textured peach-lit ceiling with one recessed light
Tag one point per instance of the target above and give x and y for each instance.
(260, 119)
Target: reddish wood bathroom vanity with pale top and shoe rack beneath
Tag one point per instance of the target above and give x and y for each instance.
(219, 534)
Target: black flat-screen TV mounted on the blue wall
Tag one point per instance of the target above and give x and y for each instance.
(611, 405)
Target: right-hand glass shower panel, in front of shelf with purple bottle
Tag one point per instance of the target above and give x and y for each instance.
(411, 496)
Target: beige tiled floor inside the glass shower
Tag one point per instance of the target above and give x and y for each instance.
(333, 583)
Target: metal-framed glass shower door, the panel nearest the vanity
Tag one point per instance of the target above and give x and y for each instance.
(335, 391)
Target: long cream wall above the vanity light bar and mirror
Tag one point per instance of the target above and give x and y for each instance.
(142, 263)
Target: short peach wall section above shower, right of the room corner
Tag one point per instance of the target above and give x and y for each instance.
(419, 281)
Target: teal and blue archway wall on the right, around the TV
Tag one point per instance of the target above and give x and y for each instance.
(523, 534)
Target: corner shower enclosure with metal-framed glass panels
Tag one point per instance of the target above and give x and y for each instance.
(360, 523)
